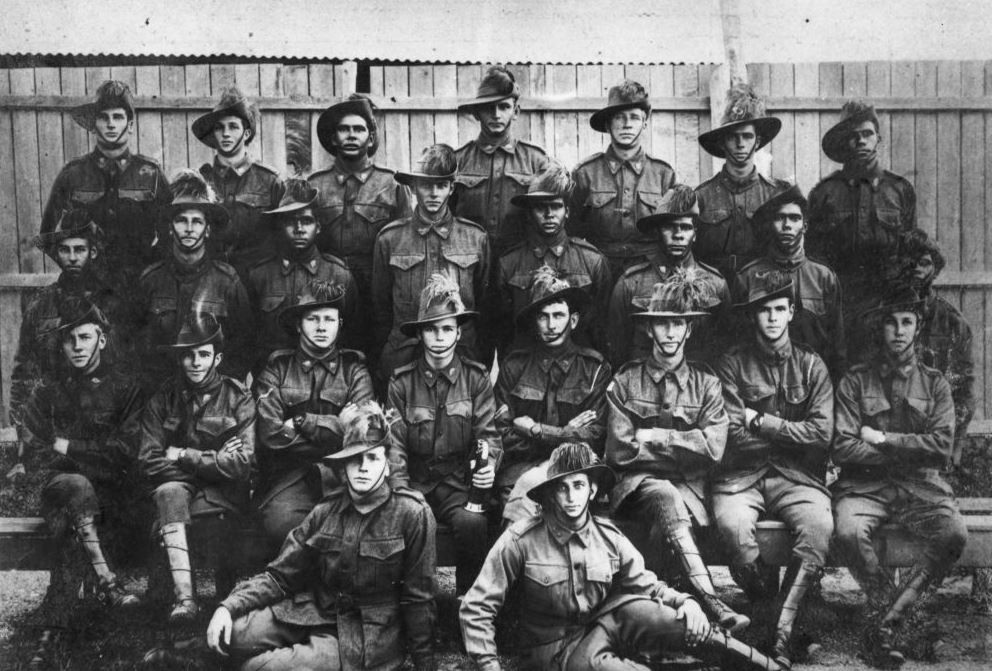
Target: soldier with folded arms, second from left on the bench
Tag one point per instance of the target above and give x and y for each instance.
(197, 452)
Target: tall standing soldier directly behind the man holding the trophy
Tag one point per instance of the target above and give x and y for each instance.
(411, 250)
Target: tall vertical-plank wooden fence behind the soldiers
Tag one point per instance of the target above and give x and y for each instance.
(936, 124)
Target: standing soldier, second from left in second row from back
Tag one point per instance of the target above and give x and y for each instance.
(191, 281)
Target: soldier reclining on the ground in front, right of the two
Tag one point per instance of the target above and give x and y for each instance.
(586, 600)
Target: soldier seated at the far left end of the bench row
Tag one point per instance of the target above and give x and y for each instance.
(85, 418)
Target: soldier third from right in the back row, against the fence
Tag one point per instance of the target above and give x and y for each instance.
(617, 188)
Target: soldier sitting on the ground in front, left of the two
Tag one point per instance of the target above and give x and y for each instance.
(353, 586)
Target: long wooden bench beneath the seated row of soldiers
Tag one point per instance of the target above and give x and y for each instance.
(25, 542)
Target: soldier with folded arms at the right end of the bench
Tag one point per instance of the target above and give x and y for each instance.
(894, 421)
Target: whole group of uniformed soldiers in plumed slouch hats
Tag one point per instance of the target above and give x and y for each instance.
(215, 346)
